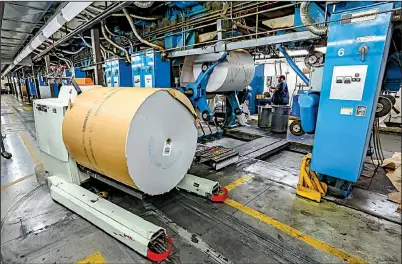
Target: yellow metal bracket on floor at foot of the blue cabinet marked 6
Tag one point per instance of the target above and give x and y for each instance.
(309, 186)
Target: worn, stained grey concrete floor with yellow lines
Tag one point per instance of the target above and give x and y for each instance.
(265, 222)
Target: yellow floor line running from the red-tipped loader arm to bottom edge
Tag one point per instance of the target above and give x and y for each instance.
(291, 231)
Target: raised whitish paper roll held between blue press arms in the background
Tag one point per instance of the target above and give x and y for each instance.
(233, 74)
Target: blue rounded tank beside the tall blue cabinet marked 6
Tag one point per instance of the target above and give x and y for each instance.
(308, 110)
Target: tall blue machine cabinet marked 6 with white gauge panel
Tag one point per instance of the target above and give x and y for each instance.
(350, 91)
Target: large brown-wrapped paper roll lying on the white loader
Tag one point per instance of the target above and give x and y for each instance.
(143, 138)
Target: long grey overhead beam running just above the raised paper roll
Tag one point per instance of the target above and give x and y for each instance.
(271, 40)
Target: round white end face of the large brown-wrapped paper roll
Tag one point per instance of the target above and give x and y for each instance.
(161, 144)
